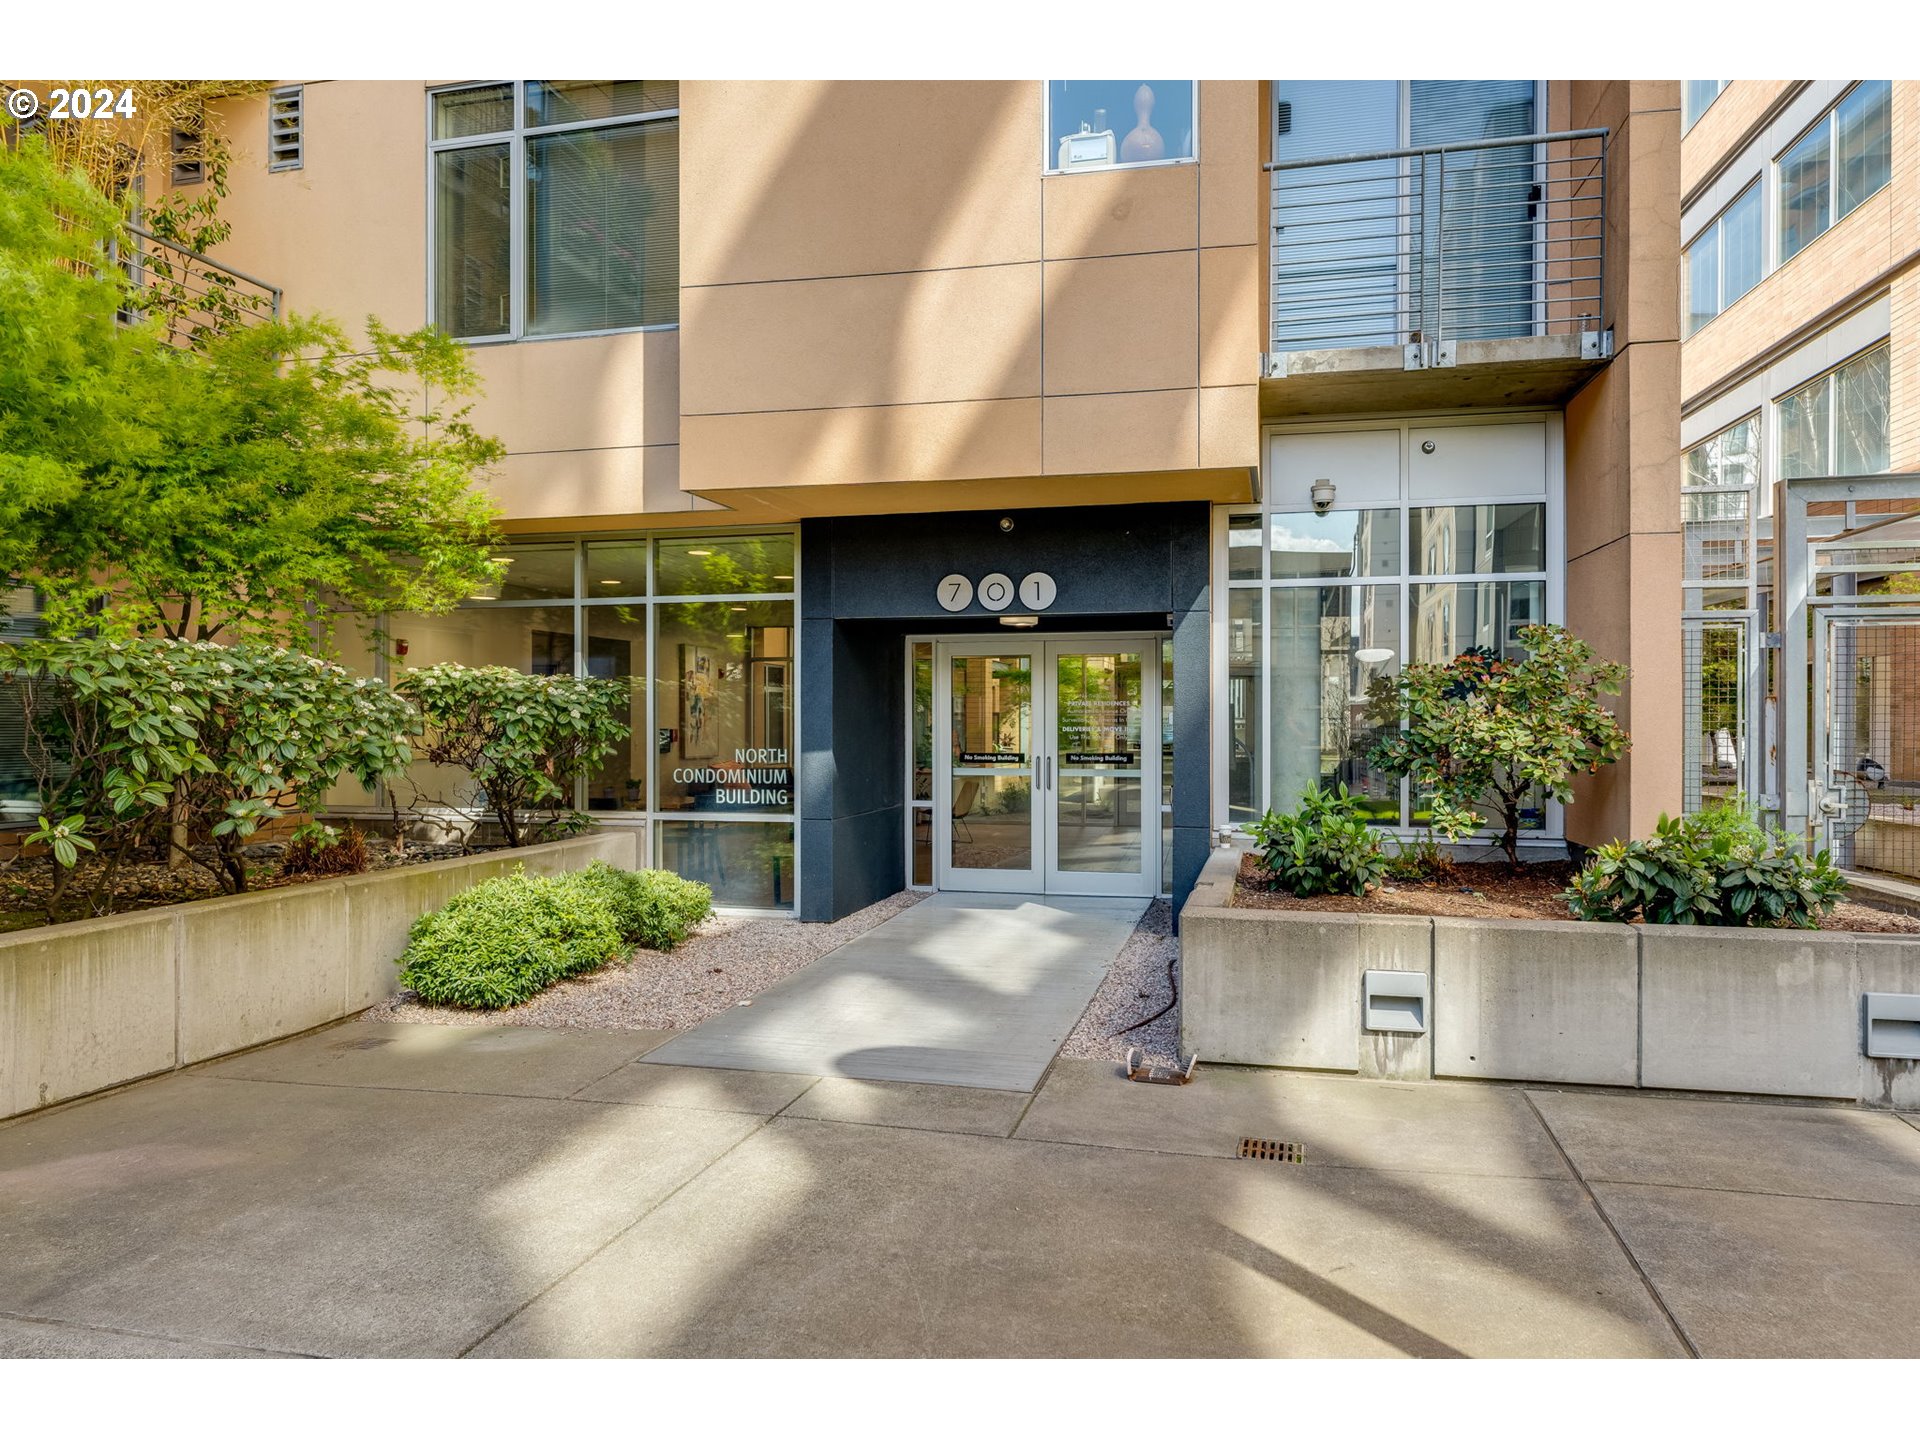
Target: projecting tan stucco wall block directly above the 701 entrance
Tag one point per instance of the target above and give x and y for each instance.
(882, 289)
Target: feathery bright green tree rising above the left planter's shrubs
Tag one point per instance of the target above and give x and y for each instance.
(252, 481)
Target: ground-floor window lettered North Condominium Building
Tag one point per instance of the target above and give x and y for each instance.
(702, 633)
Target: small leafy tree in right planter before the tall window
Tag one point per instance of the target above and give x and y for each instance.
(1481, 732)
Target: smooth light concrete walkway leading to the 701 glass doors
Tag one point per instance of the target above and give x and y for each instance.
(961, 990)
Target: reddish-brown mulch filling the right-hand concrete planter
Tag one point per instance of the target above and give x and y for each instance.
(1493, 892)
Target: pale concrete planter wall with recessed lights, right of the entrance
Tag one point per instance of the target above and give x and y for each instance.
(1752, 1013)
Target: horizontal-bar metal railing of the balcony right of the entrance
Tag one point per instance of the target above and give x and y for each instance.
(1429, 247)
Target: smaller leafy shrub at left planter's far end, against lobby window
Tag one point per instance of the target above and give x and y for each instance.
(523, 738)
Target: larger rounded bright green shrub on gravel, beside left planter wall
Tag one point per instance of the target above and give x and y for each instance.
(508, 940)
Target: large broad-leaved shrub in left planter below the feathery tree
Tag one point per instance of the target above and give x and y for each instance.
(172, 742)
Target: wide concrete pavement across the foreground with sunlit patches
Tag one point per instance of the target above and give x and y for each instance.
(385, 1189)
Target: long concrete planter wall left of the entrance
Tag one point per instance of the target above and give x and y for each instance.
(101, 1003)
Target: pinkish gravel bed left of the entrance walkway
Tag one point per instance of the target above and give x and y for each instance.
(727, 961)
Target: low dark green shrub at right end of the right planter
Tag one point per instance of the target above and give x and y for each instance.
(1712, 869)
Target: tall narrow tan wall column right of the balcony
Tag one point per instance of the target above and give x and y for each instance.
(1623, 462)
